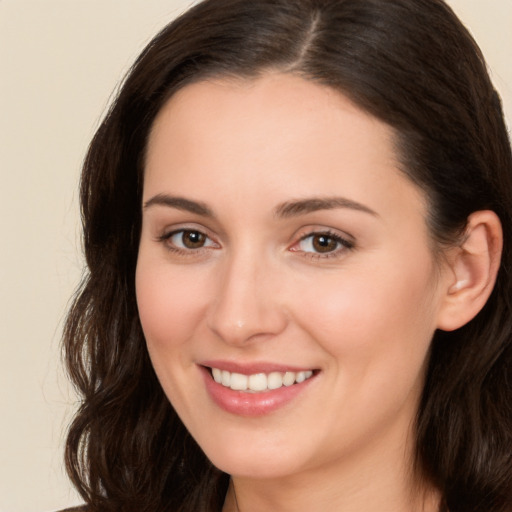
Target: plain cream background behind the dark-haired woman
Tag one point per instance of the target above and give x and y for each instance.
(60, 60)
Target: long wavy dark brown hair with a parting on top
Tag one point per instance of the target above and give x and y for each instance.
(413, 65)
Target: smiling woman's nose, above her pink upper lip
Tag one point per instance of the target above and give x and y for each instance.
(246, 306)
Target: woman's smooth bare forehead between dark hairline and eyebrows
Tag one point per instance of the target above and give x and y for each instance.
(278, 135)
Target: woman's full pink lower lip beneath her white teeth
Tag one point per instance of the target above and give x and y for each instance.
(252, 404)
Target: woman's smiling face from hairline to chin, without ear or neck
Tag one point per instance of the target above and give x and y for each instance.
(285, 281)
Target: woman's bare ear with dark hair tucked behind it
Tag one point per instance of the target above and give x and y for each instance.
(473, 267)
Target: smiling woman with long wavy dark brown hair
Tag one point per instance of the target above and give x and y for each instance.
(297, 224)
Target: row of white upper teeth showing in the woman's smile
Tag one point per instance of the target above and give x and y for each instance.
(259, 381)
